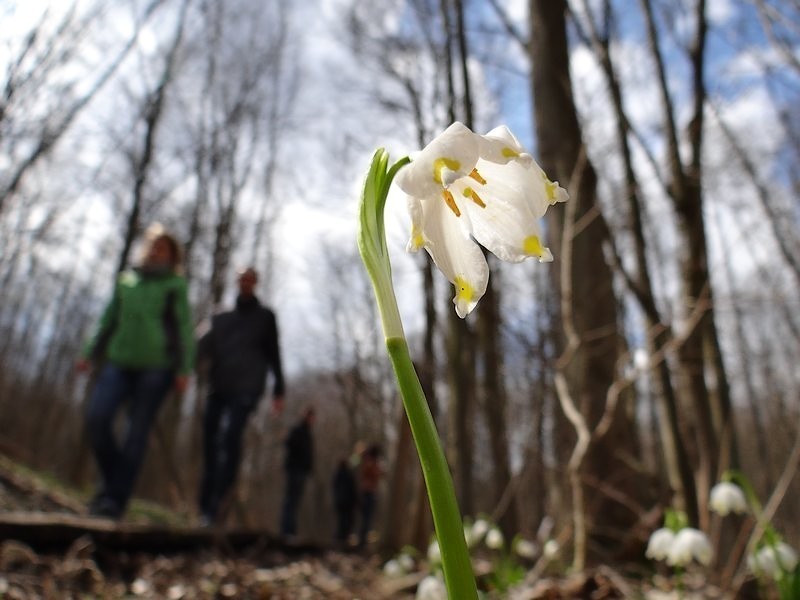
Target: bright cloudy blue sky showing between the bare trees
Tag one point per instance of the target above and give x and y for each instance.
(329, 158)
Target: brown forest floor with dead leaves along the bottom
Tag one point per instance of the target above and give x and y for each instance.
(49, 549)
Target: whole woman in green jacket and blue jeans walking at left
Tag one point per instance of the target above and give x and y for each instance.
(145, 345)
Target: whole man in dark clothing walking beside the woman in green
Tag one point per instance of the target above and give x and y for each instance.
(237, 353)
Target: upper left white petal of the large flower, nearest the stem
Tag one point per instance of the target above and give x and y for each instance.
(450, 155)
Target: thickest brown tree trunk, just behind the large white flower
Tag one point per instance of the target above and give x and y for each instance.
(591, 371)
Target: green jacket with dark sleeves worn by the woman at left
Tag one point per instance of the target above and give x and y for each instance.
(147, 324)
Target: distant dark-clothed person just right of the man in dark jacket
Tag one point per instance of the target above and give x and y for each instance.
(298, 464)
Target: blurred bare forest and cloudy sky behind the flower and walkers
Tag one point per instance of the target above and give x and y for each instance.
(658, 349)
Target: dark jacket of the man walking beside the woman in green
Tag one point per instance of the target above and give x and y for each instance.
(241, 347)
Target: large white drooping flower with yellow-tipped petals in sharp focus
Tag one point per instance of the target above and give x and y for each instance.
(463, 188)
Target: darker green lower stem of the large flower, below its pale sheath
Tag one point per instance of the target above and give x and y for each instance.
(458, 575)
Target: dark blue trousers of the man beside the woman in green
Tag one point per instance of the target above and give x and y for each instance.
(224, 423)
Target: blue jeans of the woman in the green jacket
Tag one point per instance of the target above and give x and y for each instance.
(144, 390)
